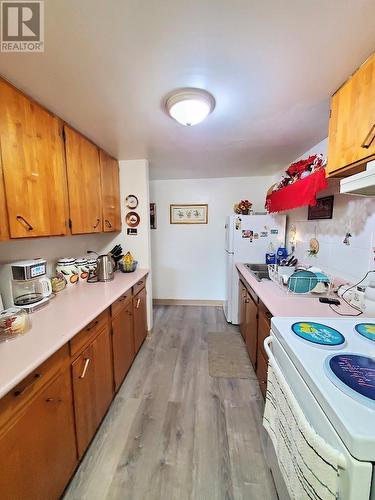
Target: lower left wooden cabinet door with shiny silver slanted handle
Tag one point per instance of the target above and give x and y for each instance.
(92, 387)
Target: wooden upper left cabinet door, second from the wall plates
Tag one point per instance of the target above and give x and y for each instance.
(84, 184)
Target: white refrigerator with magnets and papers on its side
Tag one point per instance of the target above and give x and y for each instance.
(247, 240)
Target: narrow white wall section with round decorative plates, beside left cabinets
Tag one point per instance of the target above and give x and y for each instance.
(134, 179)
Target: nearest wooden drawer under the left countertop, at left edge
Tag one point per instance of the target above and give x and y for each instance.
(17, 398)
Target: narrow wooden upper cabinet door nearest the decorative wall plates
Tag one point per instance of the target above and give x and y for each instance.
(110, 192)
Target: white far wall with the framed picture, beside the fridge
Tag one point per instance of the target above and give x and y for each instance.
(188, 261)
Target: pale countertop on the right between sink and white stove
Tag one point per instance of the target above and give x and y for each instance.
(281, 304)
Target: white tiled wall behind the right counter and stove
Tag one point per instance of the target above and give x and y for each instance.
(352, 214)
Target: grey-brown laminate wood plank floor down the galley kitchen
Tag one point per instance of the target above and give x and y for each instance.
(173, 432)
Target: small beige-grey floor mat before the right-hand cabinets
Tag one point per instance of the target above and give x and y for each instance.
(227, 356)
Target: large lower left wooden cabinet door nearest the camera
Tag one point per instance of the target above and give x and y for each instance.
(38, 453)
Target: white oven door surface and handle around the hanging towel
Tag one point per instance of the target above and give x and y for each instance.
(355, 480)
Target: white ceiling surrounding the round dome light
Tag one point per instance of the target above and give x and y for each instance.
(271, 65)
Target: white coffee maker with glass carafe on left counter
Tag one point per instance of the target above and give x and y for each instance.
(25, 284)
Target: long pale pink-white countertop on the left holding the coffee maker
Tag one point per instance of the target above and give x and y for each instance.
(54, 325)
